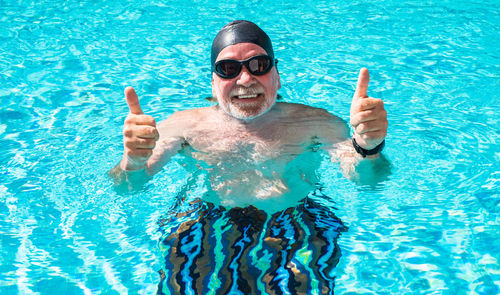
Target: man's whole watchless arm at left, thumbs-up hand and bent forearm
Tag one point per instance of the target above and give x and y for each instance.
(145, 149)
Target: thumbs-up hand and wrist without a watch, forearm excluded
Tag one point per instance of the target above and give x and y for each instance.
(139, 134)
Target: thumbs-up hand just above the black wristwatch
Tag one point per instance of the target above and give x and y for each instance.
(368, 116)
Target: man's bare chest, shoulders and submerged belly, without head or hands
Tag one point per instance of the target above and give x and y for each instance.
(249, 163)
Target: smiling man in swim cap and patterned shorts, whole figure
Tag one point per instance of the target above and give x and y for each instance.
(251, 234)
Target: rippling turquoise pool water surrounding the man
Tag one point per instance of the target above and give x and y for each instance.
(432, 227)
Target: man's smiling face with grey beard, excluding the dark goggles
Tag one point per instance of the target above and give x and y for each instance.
(245, 96)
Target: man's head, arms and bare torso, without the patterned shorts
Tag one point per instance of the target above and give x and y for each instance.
(248, 139)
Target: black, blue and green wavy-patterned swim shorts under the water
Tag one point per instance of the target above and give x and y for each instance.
(209, 249)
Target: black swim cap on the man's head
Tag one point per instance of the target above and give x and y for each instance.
(240, 31)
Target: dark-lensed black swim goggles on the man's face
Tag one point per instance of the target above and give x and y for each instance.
(257, 65)
